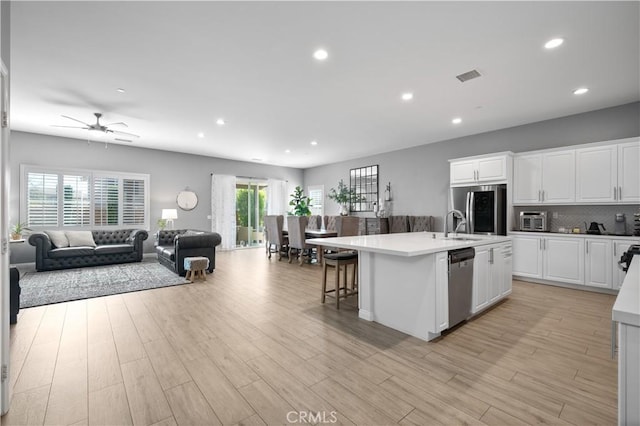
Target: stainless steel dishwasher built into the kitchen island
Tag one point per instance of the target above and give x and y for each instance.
(460, 284)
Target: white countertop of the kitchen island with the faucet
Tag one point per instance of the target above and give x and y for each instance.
(407, 244)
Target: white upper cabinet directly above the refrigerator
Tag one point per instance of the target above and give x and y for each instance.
(477, 170)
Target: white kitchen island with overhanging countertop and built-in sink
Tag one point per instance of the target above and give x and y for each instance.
(403, 278)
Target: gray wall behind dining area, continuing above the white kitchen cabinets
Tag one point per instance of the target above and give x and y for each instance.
(419, 176)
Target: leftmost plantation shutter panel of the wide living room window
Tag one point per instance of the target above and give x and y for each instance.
(42, 199)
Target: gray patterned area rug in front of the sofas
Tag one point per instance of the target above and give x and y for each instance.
(43, 288)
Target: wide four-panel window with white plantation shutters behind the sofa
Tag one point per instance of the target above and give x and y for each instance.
(83, 199)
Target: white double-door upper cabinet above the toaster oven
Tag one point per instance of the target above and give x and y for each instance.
(544, 178)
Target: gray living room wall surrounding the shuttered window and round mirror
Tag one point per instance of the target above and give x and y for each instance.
(170, 173)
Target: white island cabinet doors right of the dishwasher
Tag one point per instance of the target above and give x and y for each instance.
(491, 275)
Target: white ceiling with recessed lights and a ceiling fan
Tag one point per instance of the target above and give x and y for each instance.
(184, 65)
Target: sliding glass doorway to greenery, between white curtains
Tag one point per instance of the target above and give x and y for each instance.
(251, 202)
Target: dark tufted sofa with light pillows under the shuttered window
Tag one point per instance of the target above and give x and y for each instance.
(112, 246)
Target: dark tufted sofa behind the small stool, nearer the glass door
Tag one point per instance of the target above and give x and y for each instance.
(172, 246)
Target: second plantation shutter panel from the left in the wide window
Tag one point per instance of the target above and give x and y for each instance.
(76, 207)
